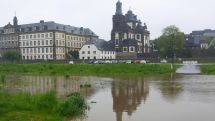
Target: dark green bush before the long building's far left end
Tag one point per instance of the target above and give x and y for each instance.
(11, 56)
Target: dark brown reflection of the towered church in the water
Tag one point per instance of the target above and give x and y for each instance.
(128, 95)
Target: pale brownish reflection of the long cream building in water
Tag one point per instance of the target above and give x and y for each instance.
(62, 85)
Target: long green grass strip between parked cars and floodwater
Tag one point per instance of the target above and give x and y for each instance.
(86, 69)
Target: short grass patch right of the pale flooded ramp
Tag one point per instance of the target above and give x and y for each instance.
(208, 69)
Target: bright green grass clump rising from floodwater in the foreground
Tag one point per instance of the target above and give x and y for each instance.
(40, 107)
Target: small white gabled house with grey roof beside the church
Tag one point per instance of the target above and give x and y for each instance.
(97, 49)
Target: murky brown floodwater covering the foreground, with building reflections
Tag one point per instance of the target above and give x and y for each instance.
(178, 98)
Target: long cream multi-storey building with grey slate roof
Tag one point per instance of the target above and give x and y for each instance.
(44, 40)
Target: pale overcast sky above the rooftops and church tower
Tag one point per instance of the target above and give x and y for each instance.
(188, 15)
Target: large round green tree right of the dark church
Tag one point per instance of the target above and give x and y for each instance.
(171, 39)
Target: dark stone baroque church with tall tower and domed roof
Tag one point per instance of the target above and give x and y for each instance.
(128, 34)
